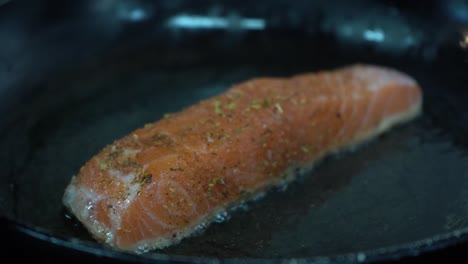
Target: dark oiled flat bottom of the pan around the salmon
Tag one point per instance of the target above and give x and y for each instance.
(408, 184)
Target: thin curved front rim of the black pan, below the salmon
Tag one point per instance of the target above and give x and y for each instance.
(395, 252)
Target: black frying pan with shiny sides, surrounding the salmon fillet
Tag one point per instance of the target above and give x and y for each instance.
(76, 75)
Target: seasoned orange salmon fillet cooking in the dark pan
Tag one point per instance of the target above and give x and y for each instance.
(157, 185)
